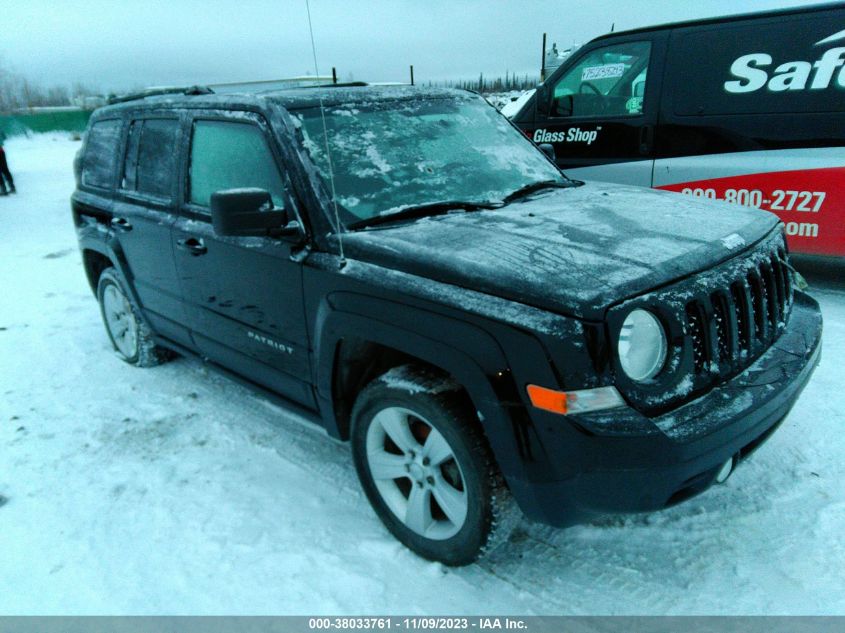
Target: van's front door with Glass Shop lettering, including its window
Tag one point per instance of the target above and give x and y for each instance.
(599, 110)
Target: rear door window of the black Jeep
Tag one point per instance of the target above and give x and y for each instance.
(151, 157)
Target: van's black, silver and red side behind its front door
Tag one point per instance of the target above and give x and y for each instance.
(754, 115)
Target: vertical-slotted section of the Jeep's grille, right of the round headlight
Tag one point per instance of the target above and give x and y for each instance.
(737, 322)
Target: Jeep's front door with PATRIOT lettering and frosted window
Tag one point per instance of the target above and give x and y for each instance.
(244, 294)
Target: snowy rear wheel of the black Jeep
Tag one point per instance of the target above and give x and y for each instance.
(129, 333)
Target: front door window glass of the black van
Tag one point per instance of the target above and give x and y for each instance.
(608, 81)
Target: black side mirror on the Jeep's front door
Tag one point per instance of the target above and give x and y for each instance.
(250, 212)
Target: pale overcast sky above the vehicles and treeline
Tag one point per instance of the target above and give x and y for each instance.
(117, 44)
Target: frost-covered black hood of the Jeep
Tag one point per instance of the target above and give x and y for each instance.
(575, 251)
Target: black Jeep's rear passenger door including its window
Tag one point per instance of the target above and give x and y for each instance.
(143, 215)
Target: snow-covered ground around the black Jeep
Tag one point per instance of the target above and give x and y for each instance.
(172, 490)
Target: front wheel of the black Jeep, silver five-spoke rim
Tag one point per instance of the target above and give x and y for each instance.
(427, 469)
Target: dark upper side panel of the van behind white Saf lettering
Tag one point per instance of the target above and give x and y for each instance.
(773, 66)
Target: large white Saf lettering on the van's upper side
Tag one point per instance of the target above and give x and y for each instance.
(752, 71)
